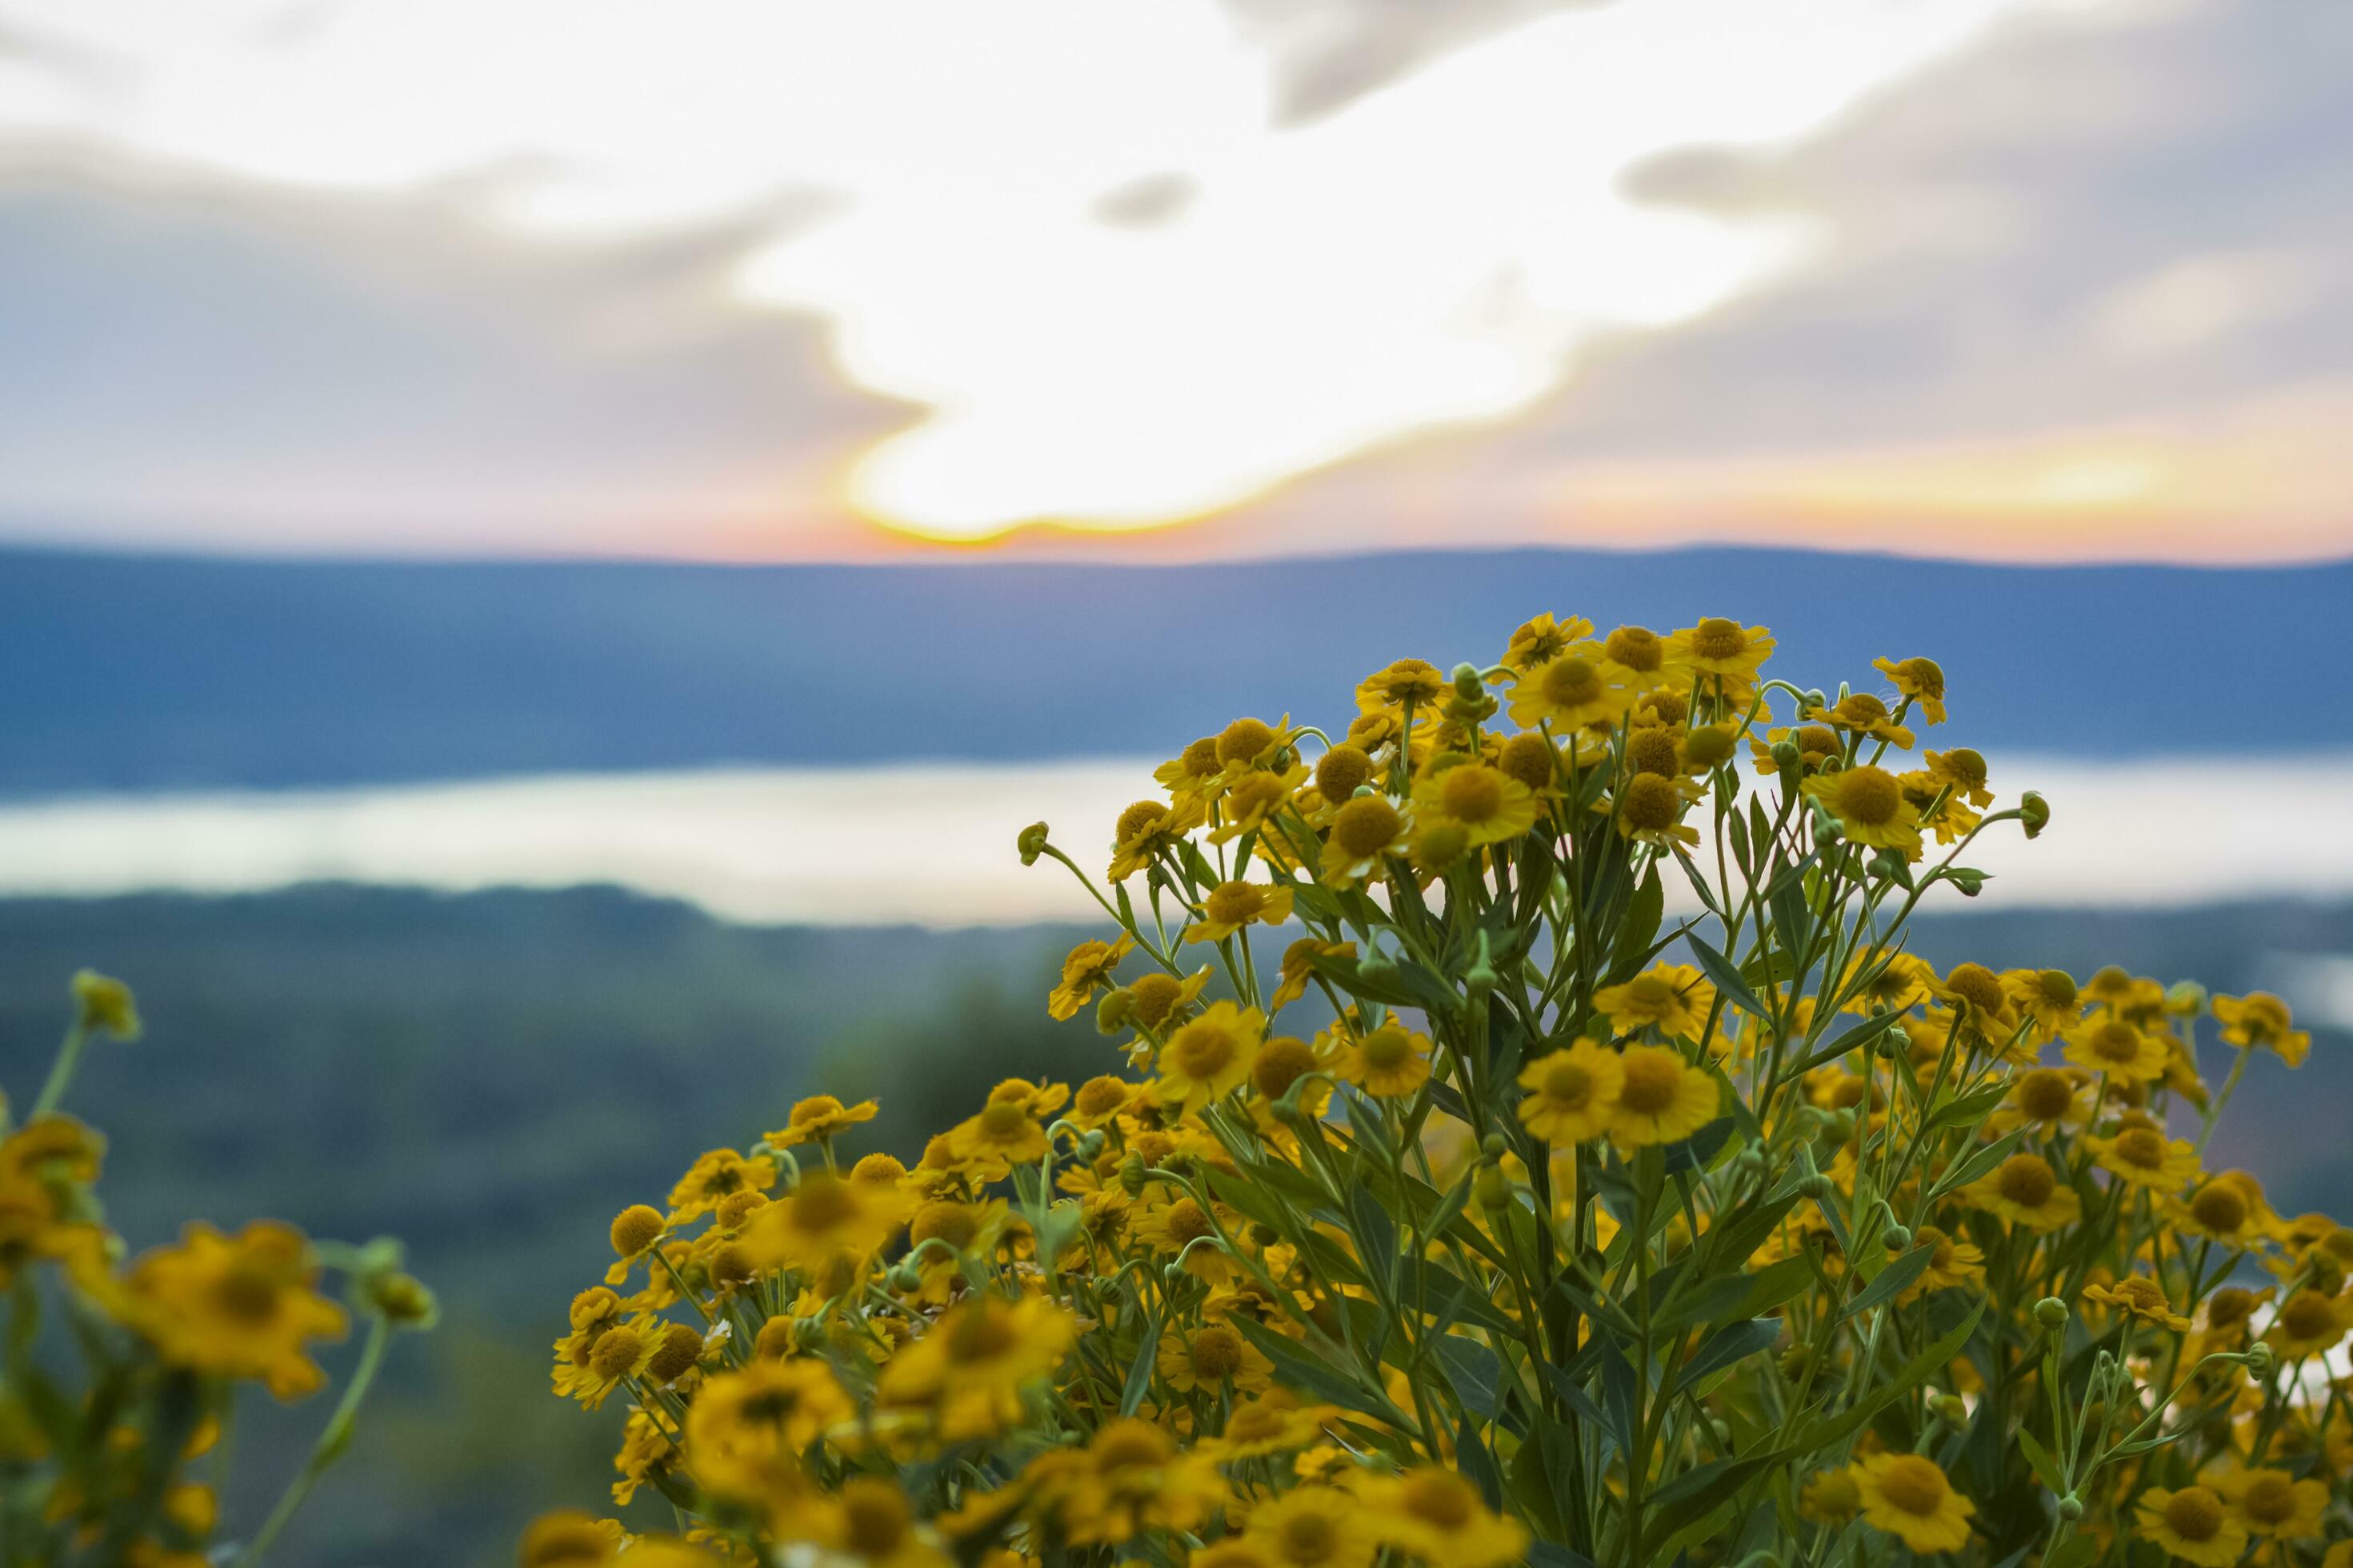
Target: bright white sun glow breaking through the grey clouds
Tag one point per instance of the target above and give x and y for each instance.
(942, 185)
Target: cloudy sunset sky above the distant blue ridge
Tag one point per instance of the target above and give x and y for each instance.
(1199, 279)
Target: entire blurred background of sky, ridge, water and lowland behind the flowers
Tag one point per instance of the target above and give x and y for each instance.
(549, 547)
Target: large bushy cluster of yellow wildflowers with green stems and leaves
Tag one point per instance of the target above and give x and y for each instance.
(1491, 1216)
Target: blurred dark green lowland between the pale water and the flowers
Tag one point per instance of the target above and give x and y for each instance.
(493, 1077)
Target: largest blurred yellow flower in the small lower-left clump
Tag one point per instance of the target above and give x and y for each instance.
(239, 1305)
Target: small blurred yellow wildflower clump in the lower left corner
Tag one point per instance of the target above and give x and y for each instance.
(95, 1454)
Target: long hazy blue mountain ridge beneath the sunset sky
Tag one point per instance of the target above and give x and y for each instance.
(145, 672)
